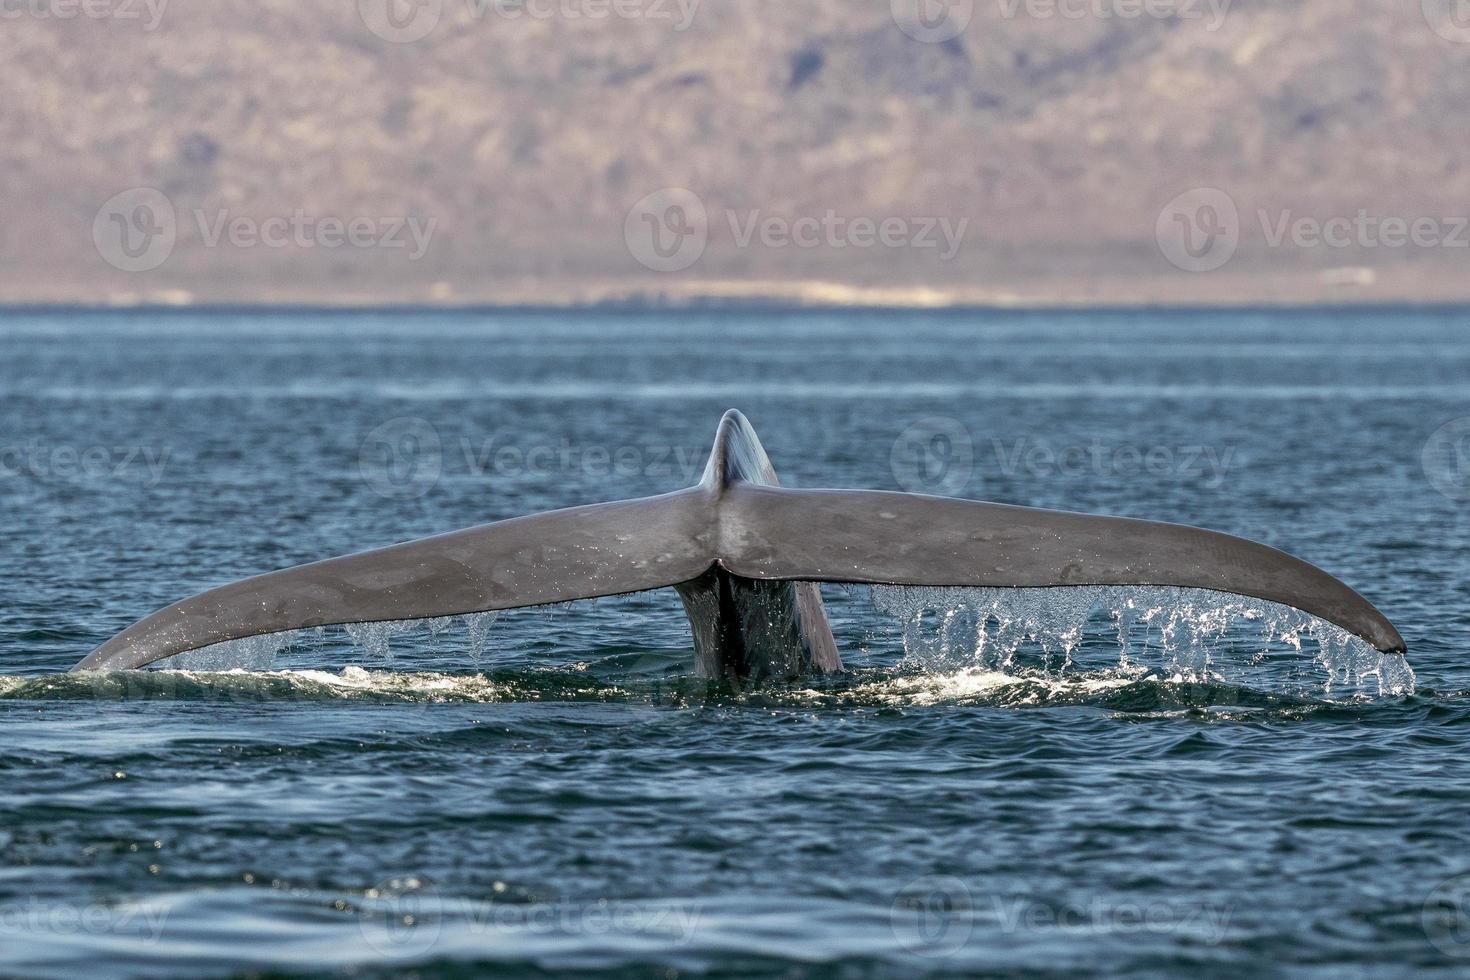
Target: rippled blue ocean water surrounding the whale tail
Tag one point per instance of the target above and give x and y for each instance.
(552, 791)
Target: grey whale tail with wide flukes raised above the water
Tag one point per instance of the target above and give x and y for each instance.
(745, 556)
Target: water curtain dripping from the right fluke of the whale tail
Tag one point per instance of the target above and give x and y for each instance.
(1186, 635)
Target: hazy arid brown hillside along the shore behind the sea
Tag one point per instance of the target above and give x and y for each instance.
(827, 151)
